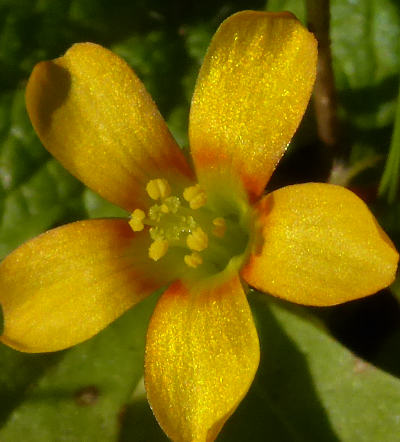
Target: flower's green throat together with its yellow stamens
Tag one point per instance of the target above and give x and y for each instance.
(186, 229)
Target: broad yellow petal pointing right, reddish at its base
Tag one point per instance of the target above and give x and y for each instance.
(320, 246)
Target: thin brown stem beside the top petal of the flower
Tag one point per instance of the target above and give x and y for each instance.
(324, 98)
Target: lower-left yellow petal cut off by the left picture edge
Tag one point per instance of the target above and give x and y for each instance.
(69, 283)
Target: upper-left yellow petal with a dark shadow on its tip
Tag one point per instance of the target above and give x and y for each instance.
(94, 115)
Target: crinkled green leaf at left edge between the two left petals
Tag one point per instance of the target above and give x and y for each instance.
(36, 192)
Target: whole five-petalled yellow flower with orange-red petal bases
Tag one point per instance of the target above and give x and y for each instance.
(201, 231)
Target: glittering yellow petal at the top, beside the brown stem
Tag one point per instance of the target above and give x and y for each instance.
(250, 96)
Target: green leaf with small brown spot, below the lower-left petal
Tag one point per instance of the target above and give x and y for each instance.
(78, 394)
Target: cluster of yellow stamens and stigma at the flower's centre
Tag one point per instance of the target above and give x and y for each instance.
(178, 221)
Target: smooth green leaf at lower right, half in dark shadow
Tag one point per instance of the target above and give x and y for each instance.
(310, 388)
